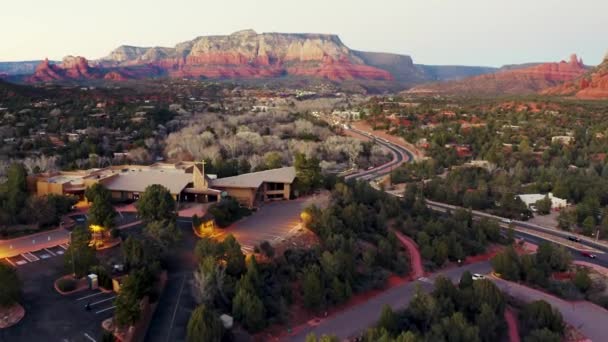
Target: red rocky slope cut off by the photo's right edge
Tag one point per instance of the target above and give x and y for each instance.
(591, 85)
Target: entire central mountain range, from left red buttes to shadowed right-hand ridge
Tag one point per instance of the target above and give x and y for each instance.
(249, 55)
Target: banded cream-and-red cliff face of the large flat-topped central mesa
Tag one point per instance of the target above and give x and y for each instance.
(247, 54)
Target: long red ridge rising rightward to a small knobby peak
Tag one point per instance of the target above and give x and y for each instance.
(511, 80)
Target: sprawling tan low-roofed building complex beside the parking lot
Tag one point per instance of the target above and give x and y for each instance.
(186, 181)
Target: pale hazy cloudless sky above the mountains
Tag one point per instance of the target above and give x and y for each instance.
(468, 32)
